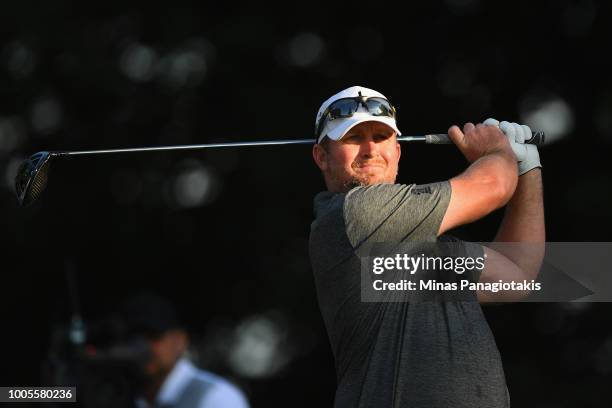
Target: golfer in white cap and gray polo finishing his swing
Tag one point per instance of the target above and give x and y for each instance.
(425, 354)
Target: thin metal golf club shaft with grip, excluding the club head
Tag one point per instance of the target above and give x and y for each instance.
(438, 138)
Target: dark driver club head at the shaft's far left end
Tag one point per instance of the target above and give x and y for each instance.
(31, 177)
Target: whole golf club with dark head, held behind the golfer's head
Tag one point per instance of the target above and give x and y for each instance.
(33, 173)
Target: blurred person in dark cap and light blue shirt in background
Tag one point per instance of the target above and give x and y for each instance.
(168, 379)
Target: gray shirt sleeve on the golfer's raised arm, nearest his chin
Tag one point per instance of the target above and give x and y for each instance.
(394, 213)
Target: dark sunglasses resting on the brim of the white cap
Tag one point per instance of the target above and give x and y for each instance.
(346, 107)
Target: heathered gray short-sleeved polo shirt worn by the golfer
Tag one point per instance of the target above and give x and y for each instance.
(397, 354)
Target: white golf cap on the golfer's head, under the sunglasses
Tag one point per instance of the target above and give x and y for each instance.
(337, 128)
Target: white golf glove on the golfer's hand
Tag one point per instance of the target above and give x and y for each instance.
(526, 154)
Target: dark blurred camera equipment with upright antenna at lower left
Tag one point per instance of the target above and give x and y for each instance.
(102, 358)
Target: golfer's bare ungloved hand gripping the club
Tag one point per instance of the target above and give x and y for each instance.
(478, 141)
